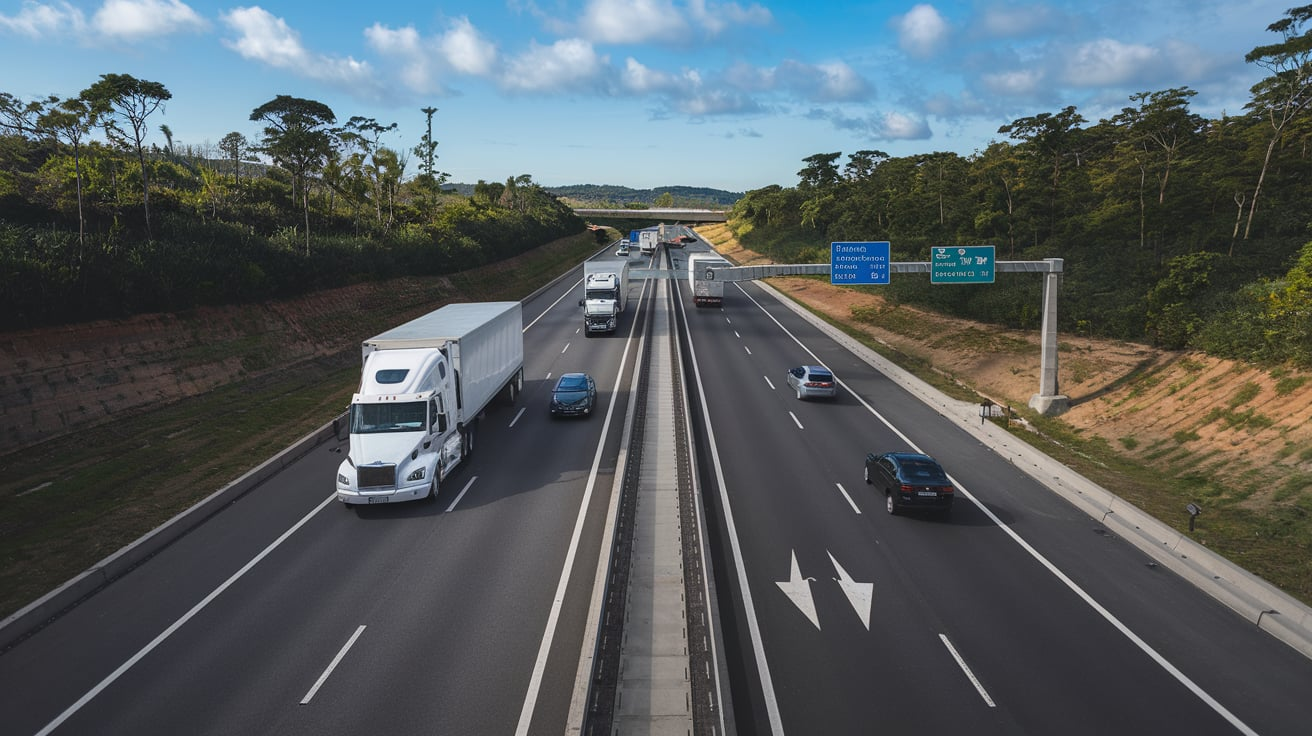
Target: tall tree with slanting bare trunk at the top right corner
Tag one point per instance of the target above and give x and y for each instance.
(1288, 92)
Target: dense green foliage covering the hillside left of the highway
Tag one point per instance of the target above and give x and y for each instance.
(218, 239)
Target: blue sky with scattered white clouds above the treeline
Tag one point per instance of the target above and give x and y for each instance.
(645, 94)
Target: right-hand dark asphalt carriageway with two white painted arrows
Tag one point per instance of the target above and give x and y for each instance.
(1017, 615)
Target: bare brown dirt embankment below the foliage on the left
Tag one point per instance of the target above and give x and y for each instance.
(61, 380)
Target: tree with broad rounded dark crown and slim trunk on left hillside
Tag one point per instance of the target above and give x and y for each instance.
(298, 140)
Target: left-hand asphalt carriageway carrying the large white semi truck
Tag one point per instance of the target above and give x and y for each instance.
(289, 613)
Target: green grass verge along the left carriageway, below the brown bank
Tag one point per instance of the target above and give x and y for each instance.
(72, 502)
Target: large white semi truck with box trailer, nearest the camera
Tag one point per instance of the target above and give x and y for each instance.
(424, 386)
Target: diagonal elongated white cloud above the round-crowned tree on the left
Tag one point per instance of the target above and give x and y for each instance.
(268, 40)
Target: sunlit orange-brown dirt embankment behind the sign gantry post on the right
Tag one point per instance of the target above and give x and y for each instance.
(1250, 427)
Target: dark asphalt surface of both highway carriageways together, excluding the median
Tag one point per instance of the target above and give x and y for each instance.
(287, 613)
